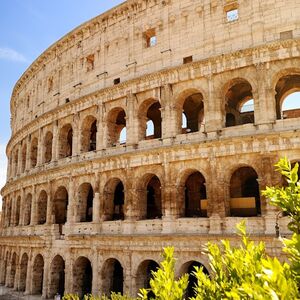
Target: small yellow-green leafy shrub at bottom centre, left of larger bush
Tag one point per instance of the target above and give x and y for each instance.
(163, 285)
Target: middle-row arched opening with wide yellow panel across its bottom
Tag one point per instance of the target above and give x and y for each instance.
(244, 193)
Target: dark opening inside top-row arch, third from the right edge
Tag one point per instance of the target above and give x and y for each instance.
(193, 110)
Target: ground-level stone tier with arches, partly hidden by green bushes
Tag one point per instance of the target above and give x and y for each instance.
(101, 265)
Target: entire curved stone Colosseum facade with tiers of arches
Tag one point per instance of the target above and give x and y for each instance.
(156, 123)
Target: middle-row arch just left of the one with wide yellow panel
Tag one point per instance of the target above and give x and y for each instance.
(192, 194)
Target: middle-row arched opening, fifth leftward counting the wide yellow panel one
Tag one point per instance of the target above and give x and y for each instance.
(85, 203)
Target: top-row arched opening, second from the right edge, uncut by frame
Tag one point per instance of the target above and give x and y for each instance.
(239, 104)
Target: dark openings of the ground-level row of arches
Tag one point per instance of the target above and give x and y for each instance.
(31, 277)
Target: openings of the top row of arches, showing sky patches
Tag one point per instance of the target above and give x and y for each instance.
(189, 112)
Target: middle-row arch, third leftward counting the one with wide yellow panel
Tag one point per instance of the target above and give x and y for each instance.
(150, 195)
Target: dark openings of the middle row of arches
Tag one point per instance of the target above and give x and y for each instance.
(191, 197)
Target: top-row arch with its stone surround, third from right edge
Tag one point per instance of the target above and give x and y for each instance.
(190, 106)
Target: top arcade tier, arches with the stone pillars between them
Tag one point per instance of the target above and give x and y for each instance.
(171, 111)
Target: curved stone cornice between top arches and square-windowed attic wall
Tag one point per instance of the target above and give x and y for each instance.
(208, 66)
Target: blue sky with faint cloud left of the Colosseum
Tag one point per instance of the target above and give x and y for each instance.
(27, 28)
